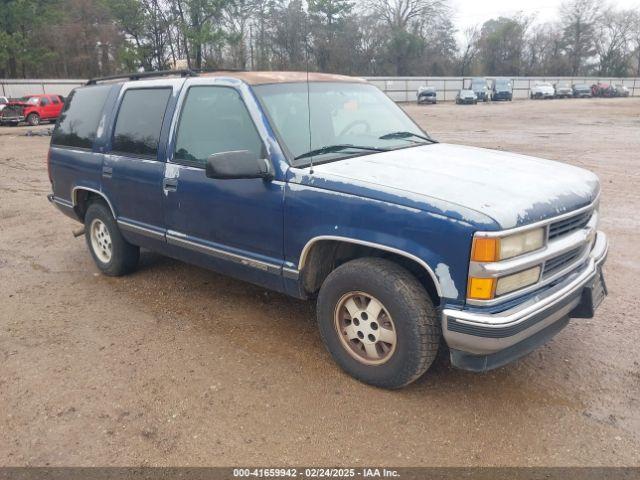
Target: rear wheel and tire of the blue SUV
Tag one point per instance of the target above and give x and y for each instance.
(113, 255)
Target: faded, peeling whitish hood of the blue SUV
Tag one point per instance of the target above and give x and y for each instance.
(487, 188)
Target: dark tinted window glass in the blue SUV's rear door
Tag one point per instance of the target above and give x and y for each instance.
(137, 129)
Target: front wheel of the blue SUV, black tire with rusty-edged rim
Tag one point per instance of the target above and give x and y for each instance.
(407, 312)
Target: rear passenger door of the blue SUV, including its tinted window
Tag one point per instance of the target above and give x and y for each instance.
(132, 172)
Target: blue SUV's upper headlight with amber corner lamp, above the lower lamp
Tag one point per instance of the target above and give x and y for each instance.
(493, 249)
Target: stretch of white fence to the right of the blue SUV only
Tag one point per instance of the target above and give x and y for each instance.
(403, 89)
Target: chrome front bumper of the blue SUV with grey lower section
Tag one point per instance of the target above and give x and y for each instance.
(482, 341)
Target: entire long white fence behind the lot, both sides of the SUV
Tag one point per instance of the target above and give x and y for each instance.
(400, 89)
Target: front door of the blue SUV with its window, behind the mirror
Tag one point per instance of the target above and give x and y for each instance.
(234, 225)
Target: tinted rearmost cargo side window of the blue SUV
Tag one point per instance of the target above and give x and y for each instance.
(79, 120)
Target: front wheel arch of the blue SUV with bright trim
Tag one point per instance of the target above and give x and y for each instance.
(322, 254)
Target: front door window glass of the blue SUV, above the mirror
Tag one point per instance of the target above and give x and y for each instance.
(214, 120)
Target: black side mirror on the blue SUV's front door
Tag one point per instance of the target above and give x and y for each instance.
(238, 164)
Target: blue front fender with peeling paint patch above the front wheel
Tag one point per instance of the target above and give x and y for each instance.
(440, 244)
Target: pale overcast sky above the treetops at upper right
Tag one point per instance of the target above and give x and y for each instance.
(472, 12)
